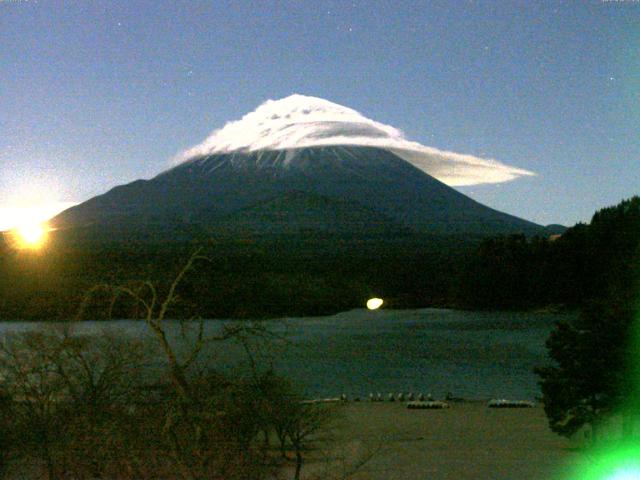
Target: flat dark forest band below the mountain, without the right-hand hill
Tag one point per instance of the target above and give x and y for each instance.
(245, 279)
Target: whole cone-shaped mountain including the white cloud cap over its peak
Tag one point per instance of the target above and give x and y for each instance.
(302, 165)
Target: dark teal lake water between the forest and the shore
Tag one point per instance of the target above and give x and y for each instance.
(474, 355)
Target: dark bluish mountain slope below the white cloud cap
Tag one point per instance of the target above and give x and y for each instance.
(210, 191)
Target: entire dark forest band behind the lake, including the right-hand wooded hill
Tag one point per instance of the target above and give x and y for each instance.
(297, 275)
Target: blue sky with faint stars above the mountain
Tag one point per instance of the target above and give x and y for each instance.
(96, 94)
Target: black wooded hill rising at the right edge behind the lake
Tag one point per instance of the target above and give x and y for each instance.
(585, 262)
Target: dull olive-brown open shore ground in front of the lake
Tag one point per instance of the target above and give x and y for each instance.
(466, 442)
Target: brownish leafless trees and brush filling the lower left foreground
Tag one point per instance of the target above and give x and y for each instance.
(84, 406)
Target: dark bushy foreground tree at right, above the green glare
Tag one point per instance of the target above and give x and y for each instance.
(591, 376)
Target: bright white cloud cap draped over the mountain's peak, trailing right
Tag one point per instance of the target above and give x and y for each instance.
(301, 121)
